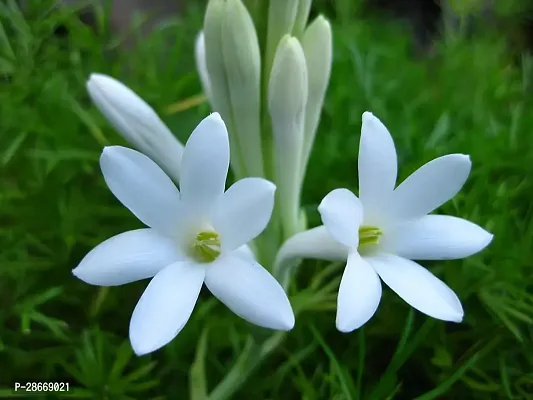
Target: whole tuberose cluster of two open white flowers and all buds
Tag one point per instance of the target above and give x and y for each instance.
(197, 232)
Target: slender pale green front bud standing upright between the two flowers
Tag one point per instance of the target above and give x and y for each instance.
(287, 97)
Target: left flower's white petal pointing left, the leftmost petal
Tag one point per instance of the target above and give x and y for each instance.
(127, 257)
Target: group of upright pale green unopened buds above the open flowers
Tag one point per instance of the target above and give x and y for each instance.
(271, 105)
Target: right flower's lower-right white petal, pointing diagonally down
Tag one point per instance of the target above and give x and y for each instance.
(418, 287)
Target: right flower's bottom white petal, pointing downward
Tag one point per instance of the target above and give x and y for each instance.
(359, 294)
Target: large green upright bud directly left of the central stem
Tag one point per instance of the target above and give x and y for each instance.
(242, 62)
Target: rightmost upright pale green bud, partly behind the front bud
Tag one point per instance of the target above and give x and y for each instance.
(317, 45)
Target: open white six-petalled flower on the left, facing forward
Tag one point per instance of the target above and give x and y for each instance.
(194, 237)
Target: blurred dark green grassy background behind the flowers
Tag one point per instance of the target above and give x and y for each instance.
(445, 77)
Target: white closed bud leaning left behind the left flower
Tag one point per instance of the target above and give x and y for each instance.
(137, 122)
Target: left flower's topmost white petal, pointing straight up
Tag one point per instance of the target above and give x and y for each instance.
(205, 164)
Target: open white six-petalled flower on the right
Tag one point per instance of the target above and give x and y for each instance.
(385, 228)
